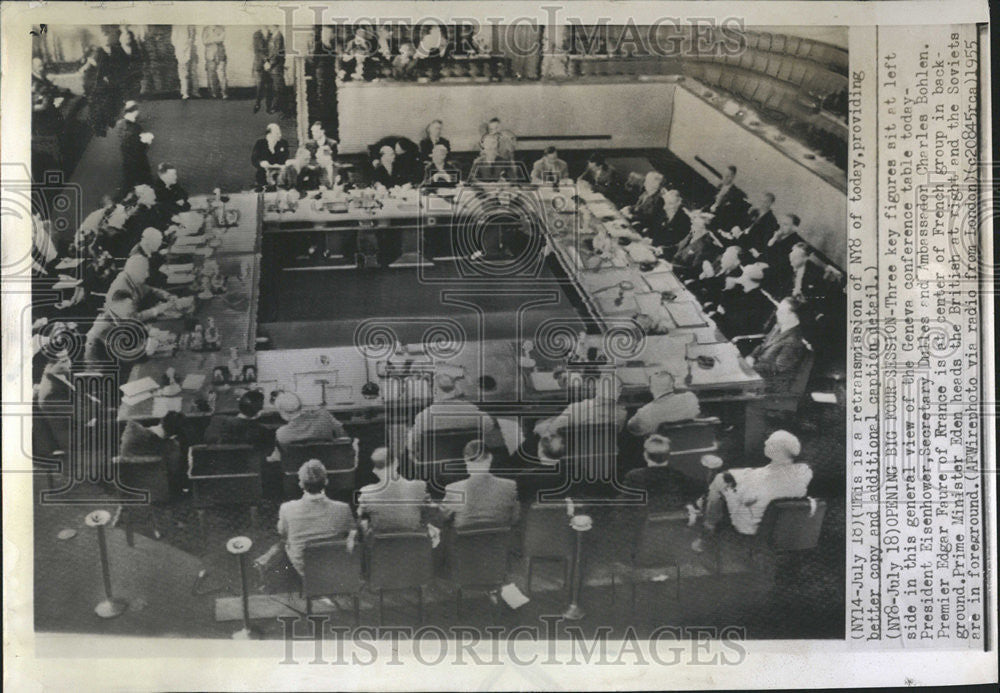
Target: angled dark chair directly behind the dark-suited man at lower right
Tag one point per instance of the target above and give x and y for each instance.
(661, 540)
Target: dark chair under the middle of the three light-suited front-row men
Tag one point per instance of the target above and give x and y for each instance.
(387, 553)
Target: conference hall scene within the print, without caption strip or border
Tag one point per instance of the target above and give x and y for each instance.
(522, 291)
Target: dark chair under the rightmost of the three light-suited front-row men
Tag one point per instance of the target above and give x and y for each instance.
(477, 558)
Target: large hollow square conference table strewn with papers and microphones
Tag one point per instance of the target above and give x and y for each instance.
(474, 320)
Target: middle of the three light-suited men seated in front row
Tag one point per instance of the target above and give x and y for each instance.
(392, 504)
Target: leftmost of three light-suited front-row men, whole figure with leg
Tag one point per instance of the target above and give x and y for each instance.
(312, 519)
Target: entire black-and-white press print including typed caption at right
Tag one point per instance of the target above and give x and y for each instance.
(466, 329)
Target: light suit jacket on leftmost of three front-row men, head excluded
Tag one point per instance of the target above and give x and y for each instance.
(309, 520)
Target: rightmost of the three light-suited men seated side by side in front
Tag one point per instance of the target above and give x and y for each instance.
(482, 499)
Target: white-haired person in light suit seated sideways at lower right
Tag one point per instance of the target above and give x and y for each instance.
(747, 492)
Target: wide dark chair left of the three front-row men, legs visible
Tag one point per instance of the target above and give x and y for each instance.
(225, 476)
